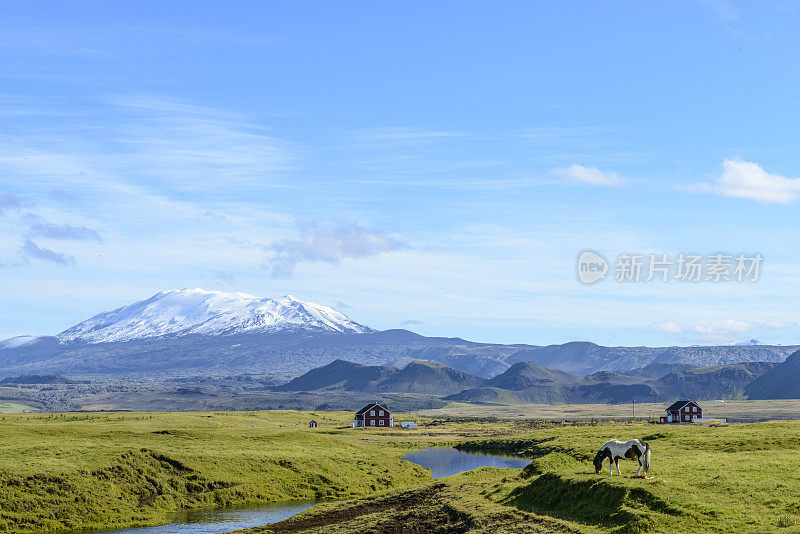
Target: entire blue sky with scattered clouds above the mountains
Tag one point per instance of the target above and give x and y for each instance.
(434, 166)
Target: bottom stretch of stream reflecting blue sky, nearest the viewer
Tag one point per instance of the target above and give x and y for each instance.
(212, 521)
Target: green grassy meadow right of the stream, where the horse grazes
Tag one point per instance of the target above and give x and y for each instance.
(706, 478)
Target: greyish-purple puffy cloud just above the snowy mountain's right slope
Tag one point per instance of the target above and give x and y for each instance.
(318, 243)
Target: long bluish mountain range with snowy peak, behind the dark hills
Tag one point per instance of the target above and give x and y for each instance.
(194, 332)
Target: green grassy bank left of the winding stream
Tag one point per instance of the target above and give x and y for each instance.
(61, 472)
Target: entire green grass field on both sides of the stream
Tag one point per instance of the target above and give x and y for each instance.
(103, 470)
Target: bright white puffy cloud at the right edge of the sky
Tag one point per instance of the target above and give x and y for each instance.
(744, 179)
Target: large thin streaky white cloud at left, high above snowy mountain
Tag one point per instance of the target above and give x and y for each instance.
(146, 141)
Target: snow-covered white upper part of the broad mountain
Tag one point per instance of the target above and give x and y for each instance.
(196, 311)
